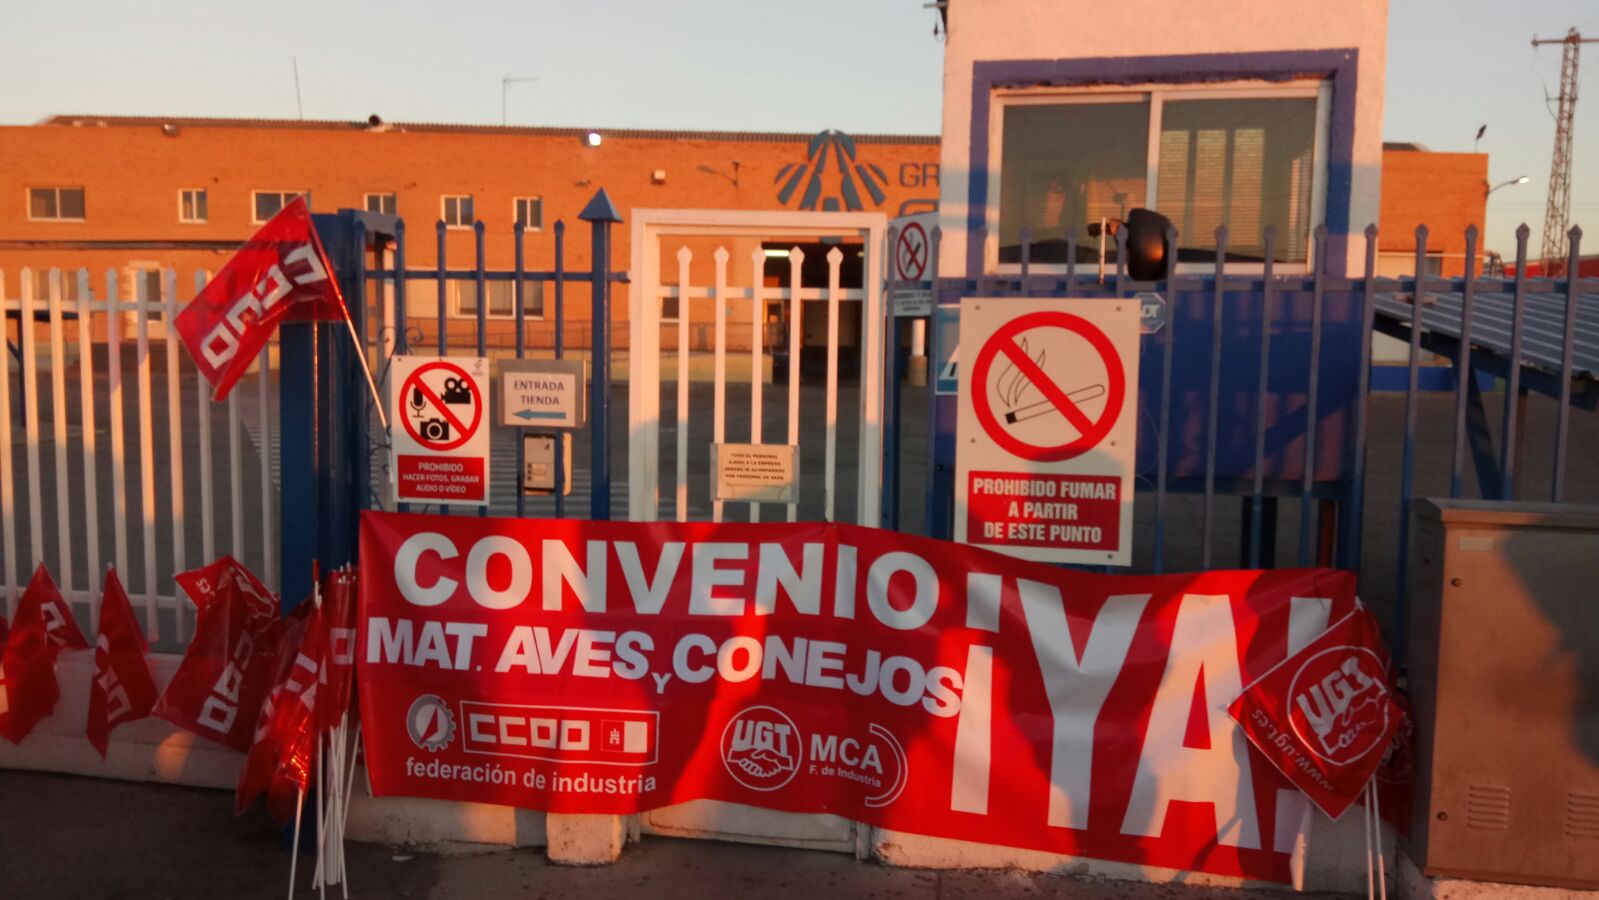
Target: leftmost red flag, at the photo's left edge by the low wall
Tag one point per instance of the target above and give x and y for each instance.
(28, 664)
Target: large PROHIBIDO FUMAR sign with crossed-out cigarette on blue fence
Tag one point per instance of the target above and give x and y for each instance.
(1047, 429)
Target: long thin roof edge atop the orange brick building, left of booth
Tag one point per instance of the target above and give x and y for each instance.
(375, 124)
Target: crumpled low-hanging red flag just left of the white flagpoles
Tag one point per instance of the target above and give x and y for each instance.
(285, 739)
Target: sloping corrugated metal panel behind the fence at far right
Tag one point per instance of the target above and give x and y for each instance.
(1542, 335)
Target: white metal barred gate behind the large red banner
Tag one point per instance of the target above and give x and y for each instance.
(728, 300)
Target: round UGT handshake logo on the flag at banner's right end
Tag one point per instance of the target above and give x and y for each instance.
(1339, 704)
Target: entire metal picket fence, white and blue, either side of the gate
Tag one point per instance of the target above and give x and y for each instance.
(1258, 391)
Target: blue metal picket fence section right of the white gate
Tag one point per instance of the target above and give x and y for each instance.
(1261, 389)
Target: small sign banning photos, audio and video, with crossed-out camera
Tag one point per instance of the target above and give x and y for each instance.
(441, 434)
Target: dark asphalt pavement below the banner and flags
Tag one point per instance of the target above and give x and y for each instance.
(74, 838)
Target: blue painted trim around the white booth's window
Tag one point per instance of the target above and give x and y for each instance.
(1339, 66)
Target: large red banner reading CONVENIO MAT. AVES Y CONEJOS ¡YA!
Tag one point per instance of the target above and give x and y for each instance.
(907, 683)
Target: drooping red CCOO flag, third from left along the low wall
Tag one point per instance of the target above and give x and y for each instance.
(228, 669)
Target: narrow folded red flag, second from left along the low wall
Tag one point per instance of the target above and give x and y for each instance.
(122, 690)
